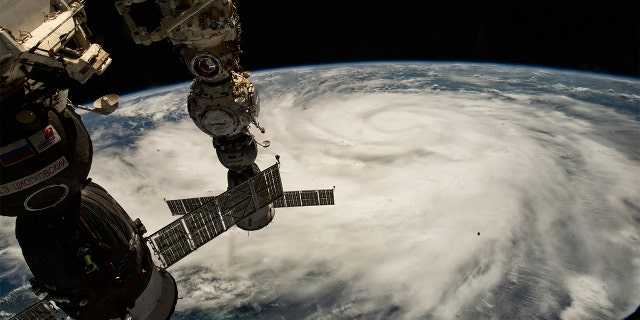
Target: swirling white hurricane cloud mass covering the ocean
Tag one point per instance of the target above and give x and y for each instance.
(417, 178)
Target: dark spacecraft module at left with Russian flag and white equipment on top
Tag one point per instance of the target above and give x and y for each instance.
(86, 254)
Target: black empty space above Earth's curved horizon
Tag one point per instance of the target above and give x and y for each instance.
(600, 37)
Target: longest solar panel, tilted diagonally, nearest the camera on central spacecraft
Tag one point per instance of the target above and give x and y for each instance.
(214, 216)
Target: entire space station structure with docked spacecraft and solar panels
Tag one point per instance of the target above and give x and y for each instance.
(87, 256)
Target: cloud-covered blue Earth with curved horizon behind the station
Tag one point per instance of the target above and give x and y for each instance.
(463, 191)
